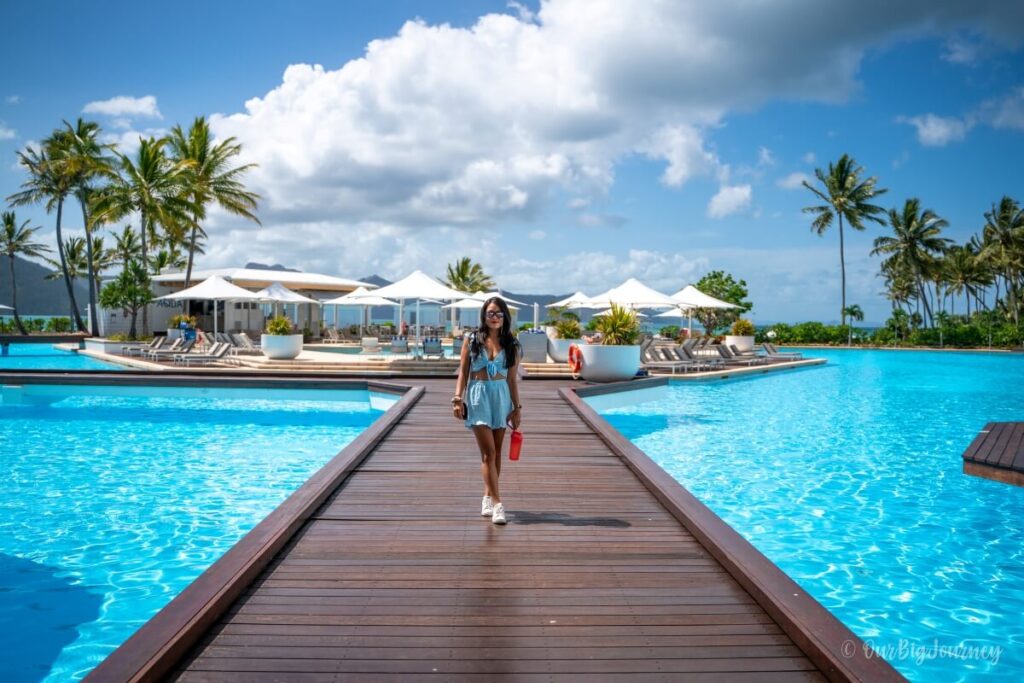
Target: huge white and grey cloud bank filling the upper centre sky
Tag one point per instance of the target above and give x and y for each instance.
(488, 125)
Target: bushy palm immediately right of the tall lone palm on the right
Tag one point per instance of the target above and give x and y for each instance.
(917, 244)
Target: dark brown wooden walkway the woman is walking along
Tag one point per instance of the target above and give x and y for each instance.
(395, 576)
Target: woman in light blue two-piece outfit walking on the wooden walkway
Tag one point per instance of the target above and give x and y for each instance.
(491, 401)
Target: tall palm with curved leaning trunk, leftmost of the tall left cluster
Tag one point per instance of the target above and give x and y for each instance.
(49, 183)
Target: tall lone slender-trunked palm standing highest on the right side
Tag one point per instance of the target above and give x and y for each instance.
(845, 196)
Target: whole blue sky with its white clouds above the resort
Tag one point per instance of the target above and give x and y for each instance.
(566, 146)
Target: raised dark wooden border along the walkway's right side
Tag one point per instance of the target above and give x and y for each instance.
(840, 654)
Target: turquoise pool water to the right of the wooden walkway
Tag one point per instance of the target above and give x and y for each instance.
(849, 478)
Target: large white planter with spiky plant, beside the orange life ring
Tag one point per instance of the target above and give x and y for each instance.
(617, 358)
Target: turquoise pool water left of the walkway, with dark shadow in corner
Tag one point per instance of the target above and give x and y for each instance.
(114, 499)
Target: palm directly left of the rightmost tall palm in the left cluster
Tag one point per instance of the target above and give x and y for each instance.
(152, 186)
